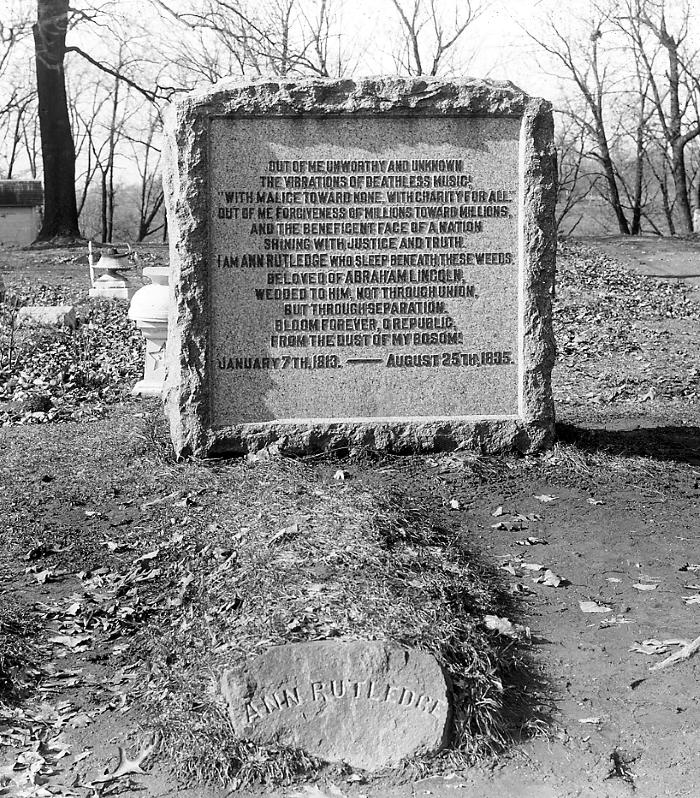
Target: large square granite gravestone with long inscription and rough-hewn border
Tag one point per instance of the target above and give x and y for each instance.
(360, 263)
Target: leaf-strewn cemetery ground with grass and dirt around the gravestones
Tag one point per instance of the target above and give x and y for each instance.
(547, 585)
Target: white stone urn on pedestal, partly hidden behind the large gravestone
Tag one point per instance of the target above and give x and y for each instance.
(149, 310)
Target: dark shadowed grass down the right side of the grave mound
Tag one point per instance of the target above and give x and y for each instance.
(413, 514)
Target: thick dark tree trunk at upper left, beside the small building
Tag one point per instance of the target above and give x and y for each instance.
(57, 147)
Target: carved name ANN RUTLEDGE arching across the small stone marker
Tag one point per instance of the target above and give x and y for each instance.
(341, 689)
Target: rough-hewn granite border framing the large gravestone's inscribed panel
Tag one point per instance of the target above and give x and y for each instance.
(185, 176)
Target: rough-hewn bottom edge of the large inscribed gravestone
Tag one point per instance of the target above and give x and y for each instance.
(397, 437)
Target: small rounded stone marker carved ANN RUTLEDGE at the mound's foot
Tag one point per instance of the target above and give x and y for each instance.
(369, 704)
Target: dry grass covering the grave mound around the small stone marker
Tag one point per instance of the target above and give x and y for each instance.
(290, 555)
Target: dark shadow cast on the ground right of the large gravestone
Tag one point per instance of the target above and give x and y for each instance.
(671, 443)
